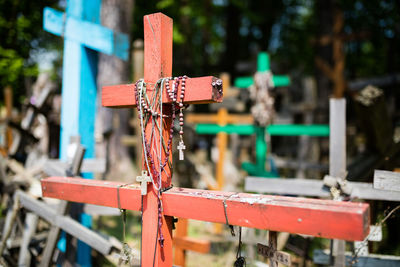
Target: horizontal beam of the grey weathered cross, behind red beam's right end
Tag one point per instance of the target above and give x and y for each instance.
(314, 188)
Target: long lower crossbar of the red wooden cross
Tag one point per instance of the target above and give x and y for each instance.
(321, 218)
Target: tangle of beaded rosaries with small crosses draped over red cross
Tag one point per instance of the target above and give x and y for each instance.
(150, 109)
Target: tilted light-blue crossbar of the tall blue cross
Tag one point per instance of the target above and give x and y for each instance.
(92, 35)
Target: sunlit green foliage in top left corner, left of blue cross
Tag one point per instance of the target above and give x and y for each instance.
(21, 34)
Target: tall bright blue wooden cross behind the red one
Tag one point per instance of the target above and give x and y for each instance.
(83, 37)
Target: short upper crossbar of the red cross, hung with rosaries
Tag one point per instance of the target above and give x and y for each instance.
(198, 90)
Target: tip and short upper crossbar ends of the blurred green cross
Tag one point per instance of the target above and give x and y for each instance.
(263, 64)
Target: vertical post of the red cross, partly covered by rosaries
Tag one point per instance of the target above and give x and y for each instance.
(157, 64)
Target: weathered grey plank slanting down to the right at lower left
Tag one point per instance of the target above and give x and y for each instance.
(67, 224)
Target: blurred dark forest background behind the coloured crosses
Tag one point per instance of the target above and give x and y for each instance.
(331, 48)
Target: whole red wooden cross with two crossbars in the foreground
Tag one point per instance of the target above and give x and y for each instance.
(322, 218)
